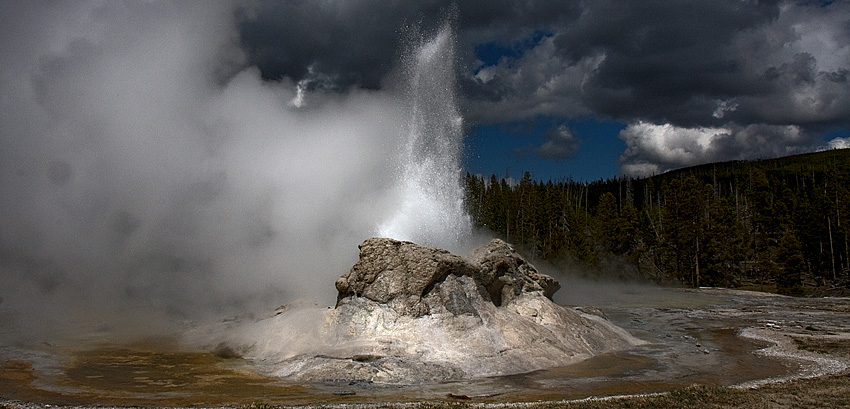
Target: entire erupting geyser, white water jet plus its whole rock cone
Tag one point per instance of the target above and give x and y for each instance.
(411, 313)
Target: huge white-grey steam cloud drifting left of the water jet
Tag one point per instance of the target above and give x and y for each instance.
(148, 172)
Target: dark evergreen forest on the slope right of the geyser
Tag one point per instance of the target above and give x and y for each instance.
(780, 223)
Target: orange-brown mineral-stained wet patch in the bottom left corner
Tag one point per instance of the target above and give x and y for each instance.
(125, 376)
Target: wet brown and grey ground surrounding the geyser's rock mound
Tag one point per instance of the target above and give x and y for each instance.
(709, 337)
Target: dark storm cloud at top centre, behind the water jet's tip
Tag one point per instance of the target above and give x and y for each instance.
(357, 43)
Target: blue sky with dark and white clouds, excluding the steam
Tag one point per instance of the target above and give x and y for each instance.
(590, 90)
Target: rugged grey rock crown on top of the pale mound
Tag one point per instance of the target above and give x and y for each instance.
(402, 275)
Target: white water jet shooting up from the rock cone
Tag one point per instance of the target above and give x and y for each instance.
(430, 208)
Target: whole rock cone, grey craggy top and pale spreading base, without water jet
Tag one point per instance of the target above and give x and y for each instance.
(409, 314)
